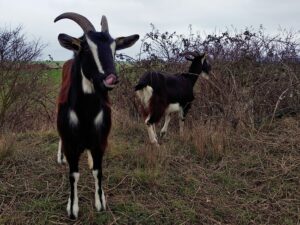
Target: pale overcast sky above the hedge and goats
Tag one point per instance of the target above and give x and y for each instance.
(126, 17)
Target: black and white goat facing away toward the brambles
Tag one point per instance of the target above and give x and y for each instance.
(161, 94)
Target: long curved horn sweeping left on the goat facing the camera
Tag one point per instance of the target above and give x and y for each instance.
(83, 22)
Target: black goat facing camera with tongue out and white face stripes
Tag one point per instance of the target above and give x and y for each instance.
(84, 114)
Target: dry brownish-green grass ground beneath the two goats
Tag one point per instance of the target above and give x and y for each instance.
(211, 175)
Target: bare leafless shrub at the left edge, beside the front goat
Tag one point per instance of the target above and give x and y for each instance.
(24, 93)
